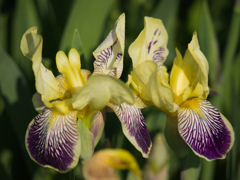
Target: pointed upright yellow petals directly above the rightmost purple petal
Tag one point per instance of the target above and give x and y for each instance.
(189, 76)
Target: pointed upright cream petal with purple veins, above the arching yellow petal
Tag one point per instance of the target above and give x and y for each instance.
(109, 54)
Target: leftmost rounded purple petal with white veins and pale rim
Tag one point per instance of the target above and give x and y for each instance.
(52, 140)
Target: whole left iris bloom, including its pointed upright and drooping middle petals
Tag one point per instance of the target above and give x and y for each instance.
(53, 138)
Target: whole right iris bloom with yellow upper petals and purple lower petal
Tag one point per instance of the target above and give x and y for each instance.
(205, 130)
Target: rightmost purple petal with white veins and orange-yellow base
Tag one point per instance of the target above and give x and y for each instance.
(205, 129)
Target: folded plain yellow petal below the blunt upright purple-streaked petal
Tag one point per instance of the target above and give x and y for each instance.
(152, 85)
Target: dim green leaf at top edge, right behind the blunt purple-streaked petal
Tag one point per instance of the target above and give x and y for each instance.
(167, 11)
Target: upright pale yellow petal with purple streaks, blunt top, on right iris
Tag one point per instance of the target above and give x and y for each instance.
(151, 44)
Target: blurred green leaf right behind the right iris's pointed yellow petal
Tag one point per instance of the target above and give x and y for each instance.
(209, 45)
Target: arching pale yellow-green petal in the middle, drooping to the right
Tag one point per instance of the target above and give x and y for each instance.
(98, 90)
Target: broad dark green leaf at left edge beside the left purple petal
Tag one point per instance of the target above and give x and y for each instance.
(14, 91)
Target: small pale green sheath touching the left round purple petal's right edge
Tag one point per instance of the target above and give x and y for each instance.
(87, 140)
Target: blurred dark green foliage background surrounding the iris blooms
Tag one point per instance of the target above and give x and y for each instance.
(217, 23)
